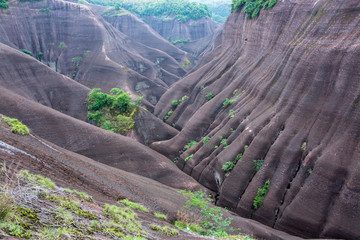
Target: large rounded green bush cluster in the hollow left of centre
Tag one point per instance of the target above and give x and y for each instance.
(113, 112)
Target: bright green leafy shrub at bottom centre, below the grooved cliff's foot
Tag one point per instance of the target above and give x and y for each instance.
(213, 221)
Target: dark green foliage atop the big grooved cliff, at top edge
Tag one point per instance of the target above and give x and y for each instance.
(252, 7)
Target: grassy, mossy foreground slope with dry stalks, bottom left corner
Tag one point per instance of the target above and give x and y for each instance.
(33, 207)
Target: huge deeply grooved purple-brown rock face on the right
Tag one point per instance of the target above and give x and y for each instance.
(293, 74)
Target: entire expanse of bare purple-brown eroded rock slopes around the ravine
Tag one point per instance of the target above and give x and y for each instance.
(267, 120)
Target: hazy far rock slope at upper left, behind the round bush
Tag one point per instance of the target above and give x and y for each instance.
(77, 42)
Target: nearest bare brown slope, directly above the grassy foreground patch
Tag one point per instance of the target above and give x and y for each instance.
(104, 183)
